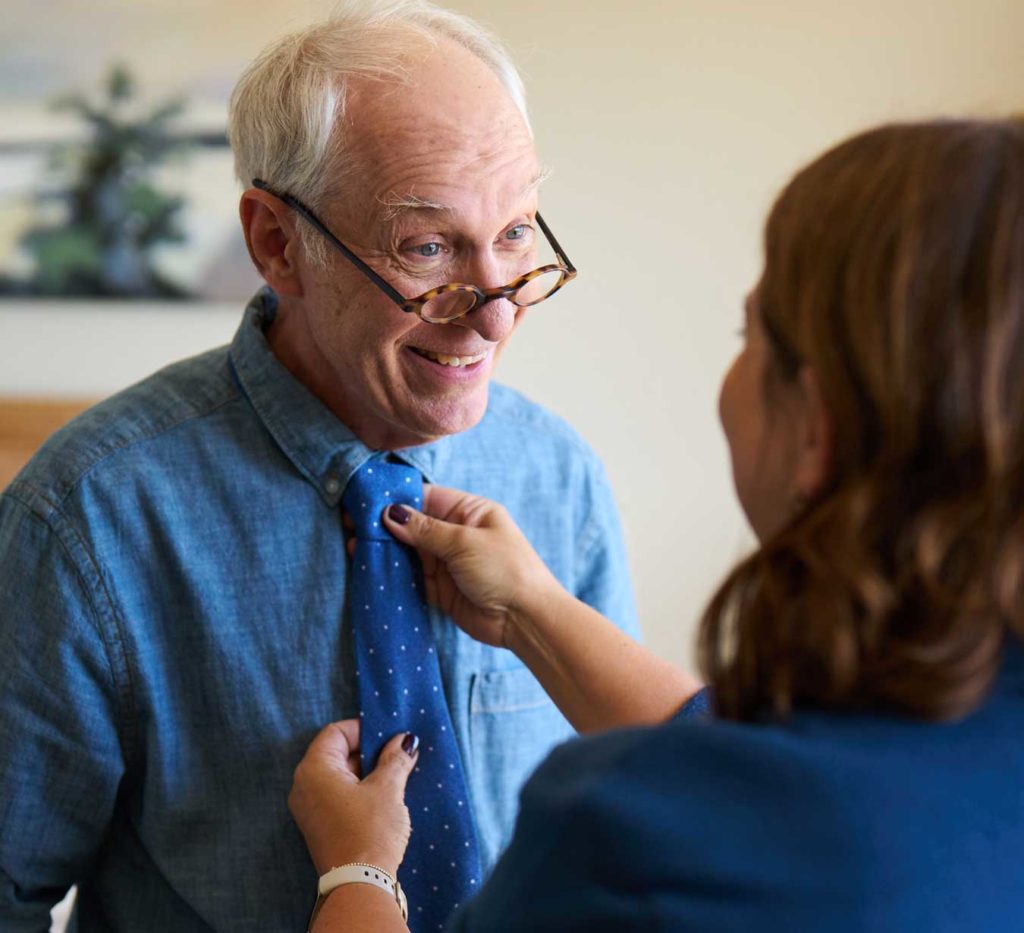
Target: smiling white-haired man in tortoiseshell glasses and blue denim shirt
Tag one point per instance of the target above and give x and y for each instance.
(177, 611)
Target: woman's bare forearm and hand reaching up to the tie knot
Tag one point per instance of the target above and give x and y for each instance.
(483, 573)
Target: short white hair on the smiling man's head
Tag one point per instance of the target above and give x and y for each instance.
(286, 124)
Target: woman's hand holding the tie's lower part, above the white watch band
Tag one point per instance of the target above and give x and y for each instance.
(347, 820)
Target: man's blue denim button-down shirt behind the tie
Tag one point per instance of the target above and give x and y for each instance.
(174, 634)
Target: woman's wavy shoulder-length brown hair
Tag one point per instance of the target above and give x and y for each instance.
(894, 269)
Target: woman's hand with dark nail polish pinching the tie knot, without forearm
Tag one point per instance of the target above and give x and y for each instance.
(478, 566)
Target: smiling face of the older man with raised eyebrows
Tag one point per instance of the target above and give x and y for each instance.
(445, 191)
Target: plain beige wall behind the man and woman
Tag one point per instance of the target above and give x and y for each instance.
(669, 125)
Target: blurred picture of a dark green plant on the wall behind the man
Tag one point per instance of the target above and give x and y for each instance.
(116, 181)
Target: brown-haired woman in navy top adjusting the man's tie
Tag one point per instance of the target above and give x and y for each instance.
(863, 765)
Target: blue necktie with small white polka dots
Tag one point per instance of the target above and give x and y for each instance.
(400, 690)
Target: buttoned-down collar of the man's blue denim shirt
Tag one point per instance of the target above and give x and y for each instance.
(323, 449)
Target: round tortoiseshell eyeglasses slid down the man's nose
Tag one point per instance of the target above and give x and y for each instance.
(447, 303)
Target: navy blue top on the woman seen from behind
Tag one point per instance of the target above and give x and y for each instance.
(827, 822)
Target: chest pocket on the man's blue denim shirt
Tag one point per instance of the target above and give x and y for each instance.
(513, 727)
